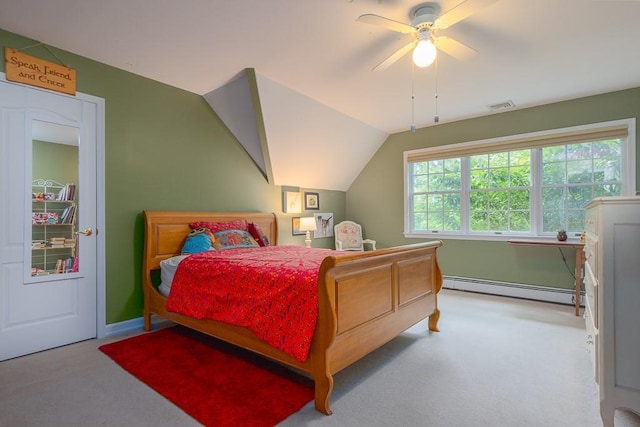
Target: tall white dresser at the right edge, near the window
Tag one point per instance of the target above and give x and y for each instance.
(612, 305)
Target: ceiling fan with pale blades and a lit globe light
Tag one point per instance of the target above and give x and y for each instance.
(424, 26)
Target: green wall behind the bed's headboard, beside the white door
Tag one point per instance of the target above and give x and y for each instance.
(166, 150)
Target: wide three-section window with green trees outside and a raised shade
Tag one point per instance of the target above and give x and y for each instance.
(526, 185)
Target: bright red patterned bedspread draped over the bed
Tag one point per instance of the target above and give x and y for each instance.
(271, 290)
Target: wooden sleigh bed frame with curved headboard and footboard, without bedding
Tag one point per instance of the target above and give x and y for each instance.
(365, 299)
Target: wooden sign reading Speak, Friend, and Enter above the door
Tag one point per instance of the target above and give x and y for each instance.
(22, 68)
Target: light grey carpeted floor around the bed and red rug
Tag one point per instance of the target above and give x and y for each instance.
(496, 362)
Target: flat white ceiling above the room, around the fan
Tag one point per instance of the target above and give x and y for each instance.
(530, 52)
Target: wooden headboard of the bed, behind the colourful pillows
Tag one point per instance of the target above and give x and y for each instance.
(166, 231)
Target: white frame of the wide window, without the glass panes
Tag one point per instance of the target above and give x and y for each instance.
(466, 148)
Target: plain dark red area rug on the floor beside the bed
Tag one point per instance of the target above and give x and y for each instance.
(213, 382)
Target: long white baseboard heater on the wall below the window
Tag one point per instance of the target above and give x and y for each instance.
(516, 290)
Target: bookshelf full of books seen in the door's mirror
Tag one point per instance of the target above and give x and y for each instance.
(53, 226)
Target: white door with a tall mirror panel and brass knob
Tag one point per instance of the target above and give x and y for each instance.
(48, 218)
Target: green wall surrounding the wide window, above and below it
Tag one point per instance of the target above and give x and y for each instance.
(376, 197)
